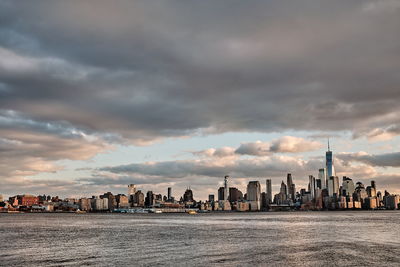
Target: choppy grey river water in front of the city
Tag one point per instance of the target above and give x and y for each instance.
(273, 239)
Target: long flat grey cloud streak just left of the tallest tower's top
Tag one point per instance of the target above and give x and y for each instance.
(255, 167)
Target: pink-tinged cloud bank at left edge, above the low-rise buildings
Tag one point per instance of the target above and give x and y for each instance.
(29, 147)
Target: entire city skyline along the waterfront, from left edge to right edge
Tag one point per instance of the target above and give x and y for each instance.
(325, 192)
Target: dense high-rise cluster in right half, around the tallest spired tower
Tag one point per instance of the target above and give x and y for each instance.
(325, 192)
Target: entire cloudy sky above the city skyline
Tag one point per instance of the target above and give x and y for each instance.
(96, 95)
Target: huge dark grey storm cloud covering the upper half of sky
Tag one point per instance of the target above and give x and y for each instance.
(153, 69)
